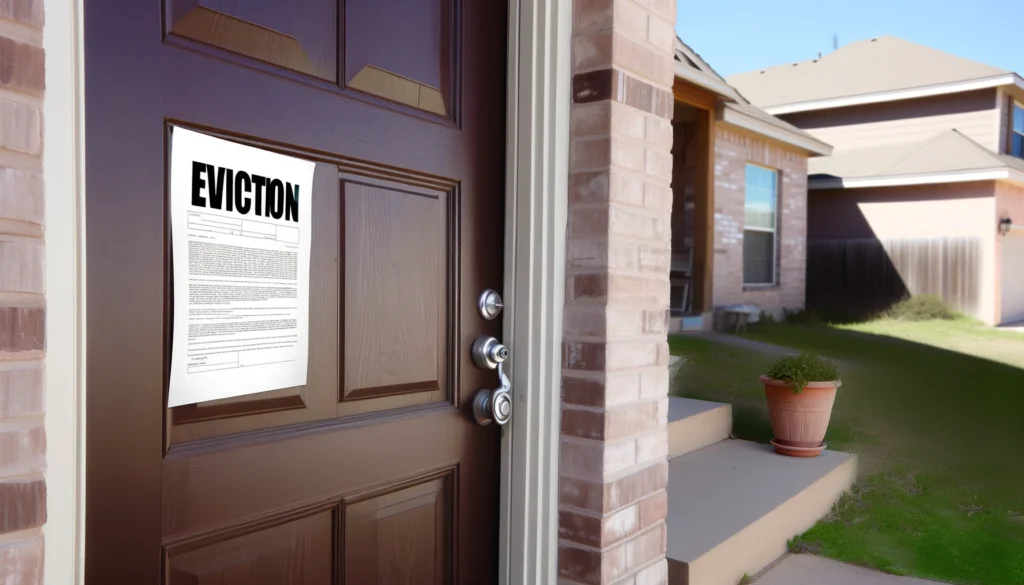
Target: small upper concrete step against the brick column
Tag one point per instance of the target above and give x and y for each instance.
(696, 425)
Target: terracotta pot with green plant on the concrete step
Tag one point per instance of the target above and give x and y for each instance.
(801, 392)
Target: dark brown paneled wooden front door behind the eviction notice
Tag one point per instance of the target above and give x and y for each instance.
(375, 471)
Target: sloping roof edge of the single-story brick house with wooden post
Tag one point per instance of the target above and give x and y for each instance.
(738, 110)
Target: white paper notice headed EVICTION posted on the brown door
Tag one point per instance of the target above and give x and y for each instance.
(241, 236)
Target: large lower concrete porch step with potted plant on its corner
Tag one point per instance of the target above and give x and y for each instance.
(733, 507)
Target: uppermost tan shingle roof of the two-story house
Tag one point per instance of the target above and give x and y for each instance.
(875, 67)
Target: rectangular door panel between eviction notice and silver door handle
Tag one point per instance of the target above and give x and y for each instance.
(397, 306)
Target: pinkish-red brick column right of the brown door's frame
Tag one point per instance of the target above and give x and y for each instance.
(613, 469)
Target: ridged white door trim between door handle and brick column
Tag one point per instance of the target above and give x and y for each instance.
(537, 183)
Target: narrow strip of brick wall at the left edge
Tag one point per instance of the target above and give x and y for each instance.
(23, 442)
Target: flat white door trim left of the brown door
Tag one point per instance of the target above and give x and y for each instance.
(64, 176)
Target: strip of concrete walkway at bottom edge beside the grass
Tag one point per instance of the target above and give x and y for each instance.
(810, 570)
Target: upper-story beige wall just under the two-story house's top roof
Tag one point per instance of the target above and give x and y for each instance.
(975, 114)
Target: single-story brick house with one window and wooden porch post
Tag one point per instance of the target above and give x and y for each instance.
(740, 213)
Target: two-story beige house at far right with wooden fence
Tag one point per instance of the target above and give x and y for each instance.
(925, 191)
